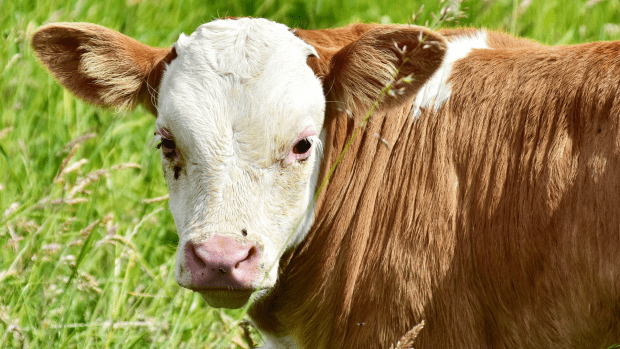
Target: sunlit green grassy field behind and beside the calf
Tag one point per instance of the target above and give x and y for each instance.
(87, 243)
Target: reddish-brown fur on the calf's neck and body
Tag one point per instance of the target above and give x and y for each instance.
(496, 219)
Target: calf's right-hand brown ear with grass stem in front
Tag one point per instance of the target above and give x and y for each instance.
(360, 70)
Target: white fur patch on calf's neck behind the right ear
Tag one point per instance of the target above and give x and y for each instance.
(437, 90)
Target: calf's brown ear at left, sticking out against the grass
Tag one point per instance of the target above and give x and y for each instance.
(102, 66)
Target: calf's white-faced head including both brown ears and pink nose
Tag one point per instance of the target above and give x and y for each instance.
(240, 108)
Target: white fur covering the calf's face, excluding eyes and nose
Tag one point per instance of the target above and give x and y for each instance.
(235, 100)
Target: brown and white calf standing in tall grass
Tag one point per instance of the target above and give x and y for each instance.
(480, 197)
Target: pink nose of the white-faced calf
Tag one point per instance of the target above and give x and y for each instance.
(222, 262)
